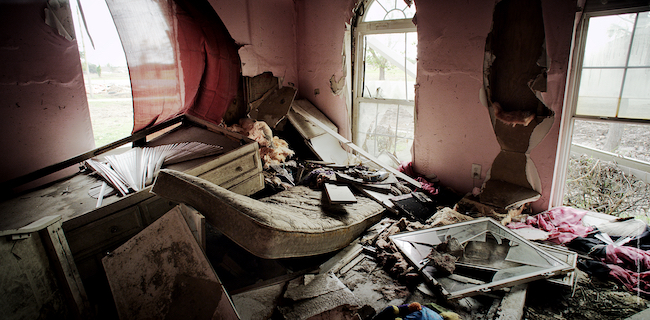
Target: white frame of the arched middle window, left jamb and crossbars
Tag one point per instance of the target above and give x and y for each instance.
(359, 32)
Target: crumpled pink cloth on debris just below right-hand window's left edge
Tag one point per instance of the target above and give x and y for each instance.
(563, 223)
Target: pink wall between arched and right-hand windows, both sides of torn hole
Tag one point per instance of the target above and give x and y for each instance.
(453, 129)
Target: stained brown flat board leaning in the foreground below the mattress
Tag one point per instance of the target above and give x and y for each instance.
(162, 273)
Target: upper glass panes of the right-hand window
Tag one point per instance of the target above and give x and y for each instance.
(616, 67)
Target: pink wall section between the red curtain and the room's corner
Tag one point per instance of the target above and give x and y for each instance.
(266, 30)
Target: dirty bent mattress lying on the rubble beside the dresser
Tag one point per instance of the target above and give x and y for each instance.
(293, 223)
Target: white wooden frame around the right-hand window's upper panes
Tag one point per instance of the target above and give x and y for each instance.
(569, 115)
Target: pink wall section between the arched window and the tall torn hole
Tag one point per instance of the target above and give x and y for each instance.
(453, 128)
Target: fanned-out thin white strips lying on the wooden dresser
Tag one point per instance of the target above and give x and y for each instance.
(137, 168)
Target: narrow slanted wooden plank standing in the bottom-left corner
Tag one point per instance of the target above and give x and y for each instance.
(61, 258)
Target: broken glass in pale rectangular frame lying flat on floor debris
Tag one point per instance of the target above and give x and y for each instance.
(478, 256)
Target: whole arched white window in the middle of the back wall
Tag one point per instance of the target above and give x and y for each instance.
(385, 70)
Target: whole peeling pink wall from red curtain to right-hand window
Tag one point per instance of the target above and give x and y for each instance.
(303, 42)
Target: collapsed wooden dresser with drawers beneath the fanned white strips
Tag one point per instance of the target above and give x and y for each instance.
(92, 232)
